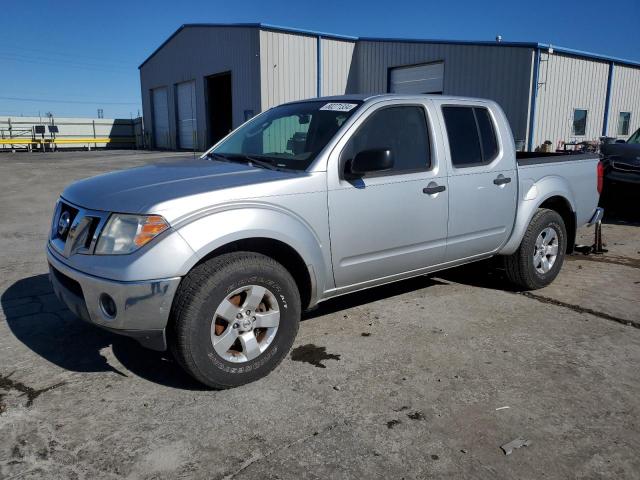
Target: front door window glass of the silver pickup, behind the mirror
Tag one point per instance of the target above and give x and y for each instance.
(403, 130)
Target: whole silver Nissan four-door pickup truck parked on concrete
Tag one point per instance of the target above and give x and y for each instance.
(216, 258)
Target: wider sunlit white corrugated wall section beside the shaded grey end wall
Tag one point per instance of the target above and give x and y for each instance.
(287, 67)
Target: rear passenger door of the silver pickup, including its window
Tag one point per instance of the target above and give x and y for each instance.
(482, 179)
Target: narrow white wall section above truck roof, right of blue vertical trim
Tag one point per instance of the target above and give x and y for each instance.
(337, 64)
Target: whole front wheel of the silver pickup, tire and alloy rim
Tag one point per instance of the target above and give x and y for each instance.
(234, 319)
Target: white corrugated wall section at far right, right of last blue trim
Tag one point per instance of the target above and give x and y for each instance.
(625, 97)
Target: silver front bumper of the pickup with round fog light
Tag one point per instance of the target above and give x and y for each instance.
(141, 308)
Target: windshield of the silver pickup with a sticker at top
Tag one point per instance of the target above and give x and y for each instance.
(289, 136)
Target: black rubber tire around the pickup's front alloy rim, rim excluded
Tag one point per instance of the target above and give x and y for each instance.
(197, 299)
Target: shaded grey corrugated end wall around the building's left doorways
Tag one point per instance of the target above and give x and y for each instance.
(195, 53)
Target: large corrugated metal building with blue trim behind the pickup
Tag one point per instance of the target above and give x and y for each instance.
(209, 78)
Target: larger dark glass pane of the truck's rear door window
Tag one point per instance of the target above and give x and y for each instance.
(464, 142)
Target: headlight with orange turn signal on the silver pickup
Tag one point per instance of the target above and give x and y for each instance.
(126, 233)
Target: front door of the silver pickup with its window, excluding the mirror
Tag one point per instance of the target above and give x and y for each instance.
(395, 221)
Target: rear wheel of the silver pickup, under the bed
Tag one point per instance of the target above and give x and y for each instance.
(539, 258)
